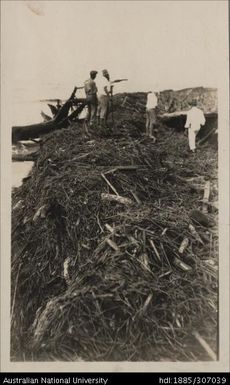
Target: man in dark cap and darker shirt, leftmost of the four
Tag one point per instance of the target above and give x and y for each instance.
(91, 97)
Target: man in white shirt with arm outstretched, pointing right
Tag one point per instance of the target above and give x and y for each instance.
(104, 94)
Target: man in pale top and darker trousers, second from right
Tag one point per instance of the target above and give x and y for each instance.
(151, 115)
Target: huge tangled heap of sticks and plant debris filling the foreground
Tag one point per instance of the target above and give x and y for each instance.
(112, 256)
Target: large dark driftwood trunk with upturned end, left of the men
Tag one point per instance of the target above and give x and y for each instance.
(61, 120)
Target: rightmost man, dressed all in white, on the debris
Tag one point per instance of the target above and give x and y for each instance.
(195, 119)
